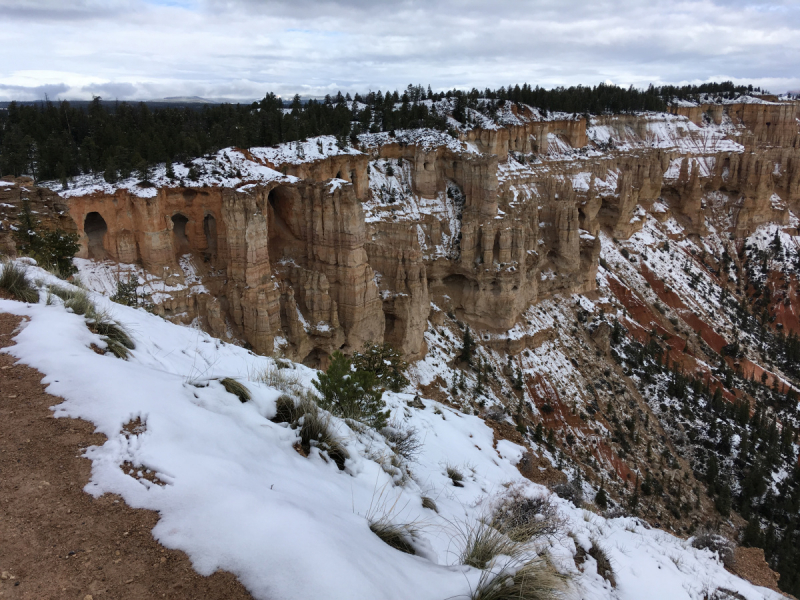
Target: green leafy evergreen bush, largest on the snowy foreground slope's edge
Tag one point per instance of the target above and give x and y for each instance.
(351, 394)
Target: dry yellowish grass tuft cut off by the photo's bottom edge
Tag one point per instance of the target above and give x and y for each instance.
(535, 579)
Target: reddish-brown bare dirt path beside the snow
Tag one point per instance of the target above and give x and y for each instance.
(56, 541)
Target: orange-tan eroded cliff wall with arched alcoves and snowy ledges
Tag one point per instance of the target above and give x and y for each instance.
(333, 252)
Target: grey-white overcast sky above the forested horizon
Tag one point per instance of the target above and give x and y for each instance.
(240, 49)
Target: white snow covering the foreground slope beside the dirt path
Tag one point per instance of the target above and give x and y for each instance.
(233, 493)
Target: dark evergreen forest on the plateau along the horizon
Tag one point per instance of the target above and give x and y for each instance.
(53, 141)
